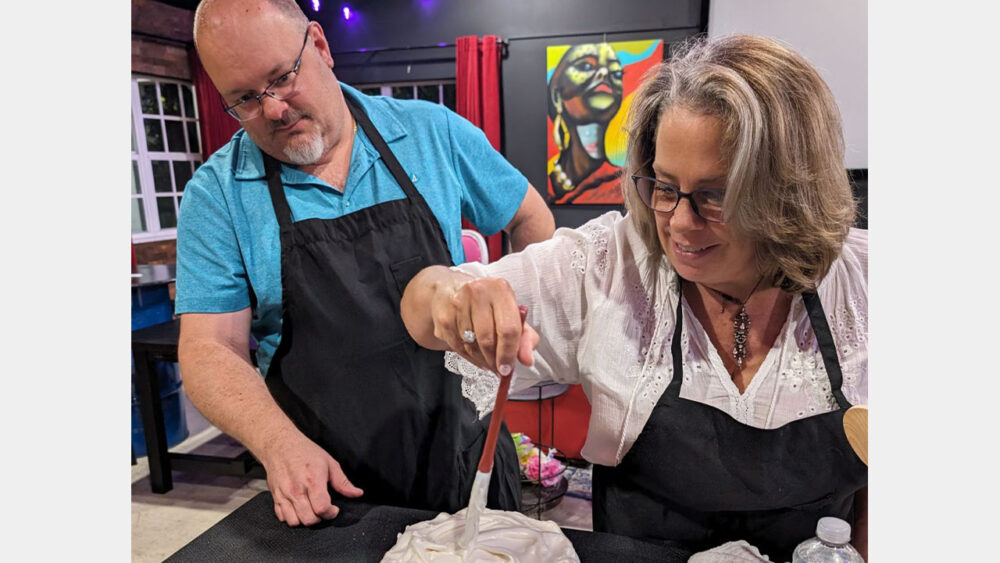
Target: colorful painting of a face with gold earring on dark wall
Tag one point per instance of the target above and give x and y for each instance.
(590, 88)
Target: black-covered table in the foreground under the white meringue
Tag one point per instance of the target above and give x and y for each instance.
(364, 532)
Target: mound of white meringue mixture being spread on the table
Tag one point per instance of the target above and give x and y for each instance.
(503, 536)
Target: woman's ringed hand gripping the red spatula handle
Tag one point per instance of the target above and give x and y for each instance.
(476, 318)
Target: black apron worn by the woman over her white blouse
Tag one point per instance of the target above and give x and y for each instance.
(698, 477)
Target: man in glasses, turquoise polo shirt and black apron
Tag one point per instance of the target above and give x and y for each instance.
(304, 229)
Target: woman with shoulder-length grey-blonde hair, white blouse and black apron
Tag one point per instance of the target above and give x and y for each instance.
(719, 329)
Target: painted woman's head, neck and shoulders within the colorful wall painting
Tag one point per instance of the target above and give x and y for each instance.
(585, 93)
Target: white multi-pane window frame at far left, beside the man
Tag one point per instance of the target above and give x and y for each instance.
(144, 158)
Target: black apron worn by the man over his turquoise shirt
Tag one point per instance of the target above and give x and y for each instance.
(346, 371)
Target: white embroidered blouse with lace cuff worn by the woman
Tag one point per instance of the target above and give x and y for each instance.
(600, 327)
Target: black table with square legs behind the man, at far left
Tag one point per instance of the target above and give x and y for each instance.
(158, 343)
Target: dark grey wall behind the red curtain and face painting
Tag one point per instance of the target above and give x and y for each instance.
(396, 32)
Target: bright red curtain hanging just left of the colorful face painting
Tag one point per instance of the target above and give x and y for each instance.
(477, 98)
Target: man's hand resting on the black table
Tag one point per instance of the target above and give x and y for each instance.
(297, 474)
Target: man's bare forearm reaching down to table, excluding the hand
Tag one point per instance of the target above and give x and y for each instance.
(229, 392)
